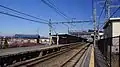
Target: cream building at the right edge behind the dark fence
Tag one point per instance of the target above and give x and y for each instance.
(112, 33)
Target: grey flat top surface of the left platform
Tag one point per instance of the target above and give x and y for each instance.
(10, 51)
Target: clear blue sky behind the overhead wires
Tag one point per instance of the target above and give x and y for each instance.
(79, 9)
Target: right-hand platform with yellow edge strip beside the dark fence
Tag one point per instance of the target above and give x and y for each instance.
(97, 59)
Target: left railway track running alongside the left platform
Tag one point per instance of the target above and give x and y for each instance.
(39, 59)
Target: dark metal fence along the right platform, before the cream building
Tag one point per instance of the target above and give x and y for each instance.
(110, 49)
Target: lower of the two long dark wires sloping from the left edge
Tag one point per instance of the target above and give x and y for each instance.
(21, 17)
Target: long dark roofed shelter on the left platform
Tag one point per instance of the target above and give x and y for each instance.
(66, 39)
